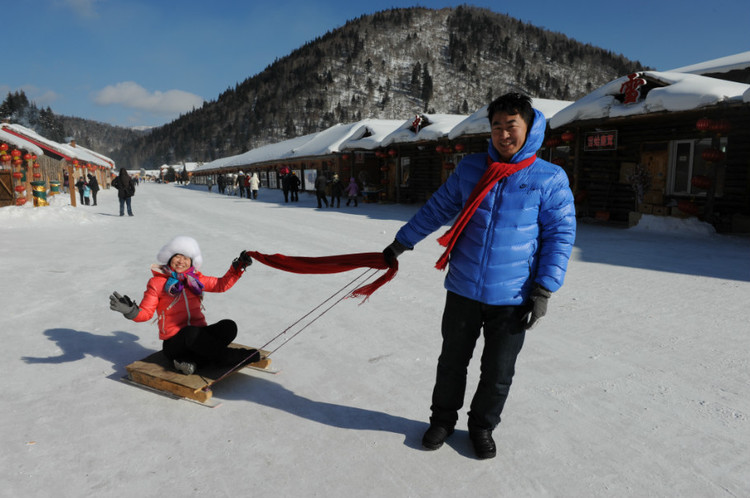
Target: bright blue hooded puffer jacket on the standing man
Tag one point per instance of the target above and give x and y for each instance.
(522, 233)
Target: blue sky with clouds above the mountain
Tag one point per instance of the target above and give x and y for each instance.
(143, 62)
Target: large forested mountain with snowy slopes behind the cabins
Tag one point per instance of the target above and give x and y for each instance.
(391, 65)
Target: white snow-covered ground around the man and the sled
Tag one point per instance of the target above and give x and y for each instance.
(636, 384)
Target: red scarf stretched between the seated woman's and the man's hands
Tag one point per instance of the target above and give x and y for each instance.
(333, 264)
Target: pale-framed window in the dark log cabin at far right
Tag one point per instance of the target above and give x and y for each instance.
(686, 162)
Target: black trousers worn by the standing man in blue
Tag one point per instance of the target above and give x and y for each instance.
(463, 320)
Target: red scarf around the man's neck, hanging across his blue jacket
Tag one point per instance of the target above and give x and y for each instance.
(493, 174)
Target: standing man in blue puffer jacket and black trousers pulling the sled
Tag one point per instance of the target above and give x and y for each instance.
(510, 256)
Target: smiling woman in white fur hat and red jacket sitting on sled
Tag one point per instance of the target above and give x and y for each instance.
(175, 294)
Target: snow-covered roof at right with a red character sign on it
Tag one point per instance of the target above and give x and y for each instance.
(669, 91)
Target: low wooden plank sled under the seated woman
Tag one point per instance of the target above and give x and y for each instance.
(157, 372)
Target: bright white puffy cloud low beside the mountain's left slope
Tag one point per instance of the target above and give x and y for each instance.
(132, 95)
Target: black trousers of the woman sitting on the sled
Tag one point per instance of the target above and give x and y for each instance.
(201, 345)
